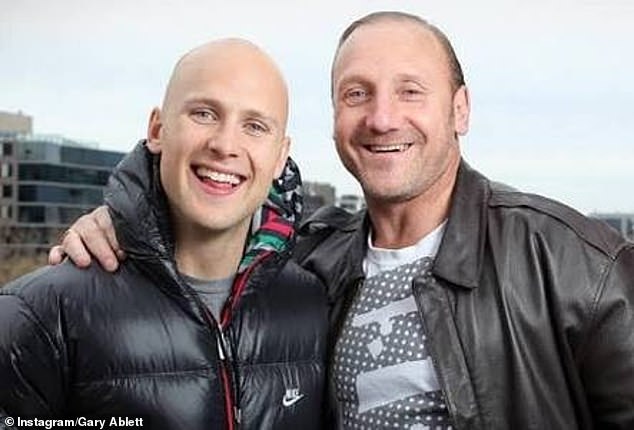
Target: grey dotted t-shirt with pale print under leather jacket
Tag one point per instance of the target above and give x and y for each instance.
(384, 376)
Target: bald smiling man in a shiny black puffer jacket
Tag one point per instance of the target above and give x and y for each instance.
(208, 324)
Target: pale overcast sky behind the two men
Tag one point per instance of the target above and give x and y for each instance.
(550, 80)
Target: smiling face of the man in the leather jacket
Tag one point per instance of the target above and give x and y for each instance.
(397, 116)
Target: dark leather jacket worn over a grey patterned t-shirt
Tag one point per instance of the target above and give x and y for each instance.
(531, 322)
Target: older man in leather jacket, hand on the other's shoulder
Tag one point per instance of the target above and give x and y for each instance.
(457, 302)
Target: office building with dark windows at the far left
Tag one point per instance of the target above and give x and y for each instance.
(45, 184)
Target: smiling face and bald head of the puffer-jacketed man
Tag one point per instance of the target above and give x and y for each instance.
(221, 136)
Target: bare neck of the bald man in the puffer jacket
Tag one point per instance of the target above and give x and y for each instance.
(206, 255)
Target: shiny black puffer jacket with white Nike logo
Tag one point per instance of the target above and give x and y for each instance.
(140, 344)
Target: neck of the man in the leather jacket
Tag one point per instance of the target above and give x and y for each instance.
(400, 224)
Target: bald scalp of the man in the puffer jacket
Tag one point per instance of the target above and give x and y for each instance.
(244, 61)
